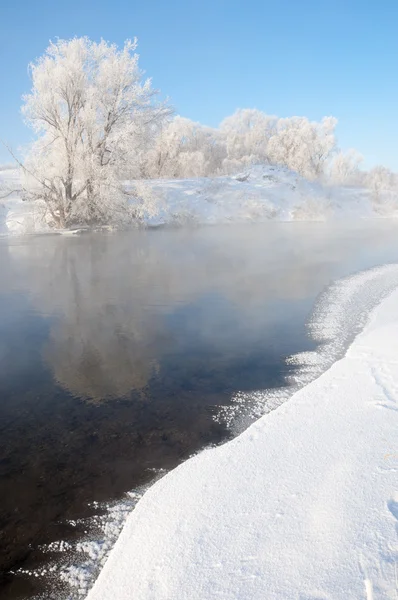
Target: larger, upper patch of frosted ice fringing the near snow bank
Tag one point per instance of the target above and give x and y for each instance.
(339, 315)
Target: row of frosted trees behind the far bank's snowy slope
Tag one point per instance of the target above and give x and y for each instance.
(183, 148)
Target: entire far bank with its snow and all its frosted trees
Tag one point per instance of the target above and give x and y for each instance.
(108, 152)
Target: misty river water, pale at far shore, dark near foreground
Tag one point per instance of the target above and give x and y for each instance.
(116, 352)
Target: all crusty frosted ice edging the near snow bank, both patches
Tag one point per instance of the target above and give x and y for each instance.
(339, 315)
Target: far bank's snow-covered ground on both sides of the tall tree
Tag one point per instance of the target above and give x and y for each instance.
(259, 194)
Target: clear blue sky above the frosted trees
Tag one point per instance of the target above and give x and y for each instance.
(286, 57)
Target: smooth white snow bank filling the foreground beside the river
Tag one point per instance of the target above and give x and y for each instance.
(303, 505)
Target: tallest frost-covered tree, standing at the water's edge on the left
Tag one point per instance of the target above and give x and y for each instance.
(91, 113)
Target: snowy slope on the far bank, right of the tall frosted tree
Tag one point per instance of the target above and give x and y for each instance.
(260, 194)
